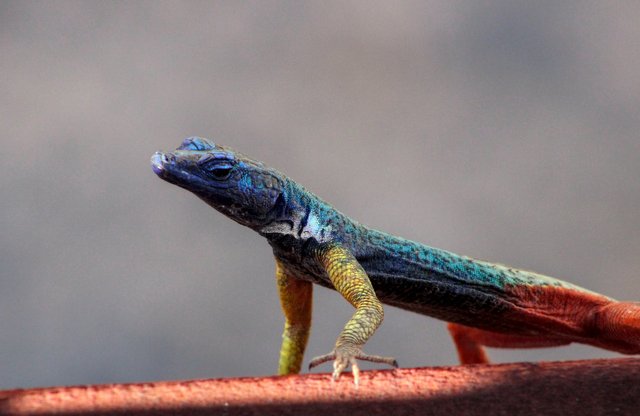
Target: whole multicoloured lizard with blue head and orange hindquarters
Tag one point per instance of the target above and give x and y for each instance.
(485, 304)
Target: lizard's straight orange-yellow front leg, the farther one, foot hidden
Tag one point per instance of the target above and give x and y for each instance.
(295, 299)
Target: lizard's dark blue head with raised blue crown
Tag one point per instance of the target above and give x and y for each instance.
(241, 188)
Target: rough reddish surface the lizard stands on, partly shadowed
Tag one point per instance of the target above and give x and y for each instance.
(595, 387)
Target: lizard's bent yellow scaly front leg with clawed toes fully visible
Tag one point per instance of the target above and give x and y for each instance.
(351, 281)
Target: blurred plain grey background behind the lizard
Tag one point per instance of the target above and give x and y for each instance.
(505, 130)
